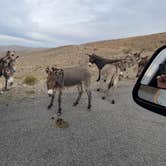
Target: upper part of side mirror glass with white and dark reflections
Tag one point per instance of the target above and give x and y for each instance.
(155, 76)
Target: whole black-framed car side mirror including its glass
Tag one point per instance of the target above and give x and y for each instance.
(150, 89)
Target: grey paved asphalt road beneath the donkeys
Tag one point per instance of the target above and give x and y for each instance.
(123, 134)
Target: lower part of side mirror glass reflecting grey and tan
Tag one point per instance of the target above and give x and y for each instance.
(152, 94)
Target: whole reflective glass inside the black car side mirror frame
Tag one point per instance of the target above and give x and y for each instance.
(153, 83)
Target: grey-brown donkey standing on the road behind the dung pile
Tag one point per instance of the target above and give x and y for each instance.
(58, 78)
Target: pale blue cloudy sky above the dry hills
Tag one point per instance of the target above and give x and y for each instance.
(52, 23)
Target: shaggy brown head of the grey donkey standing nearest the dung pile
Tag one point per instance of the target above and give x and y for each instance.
(54, 79)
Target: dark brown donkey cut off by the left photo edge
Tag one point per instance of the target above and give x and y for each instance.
(7, 68)
